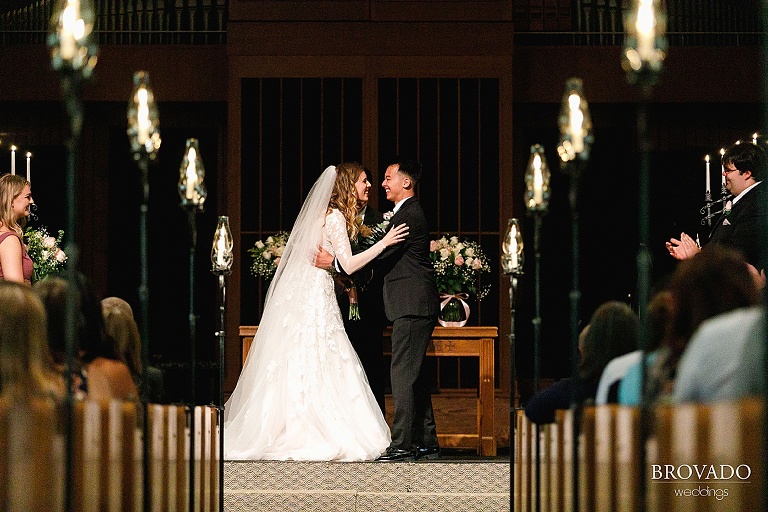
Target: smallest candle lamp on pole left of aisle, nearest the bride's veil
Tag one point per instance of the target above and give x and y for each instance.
(222, 258)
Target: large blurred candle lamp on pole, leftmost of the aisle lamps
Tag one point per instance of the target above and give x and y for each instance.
(73, 56)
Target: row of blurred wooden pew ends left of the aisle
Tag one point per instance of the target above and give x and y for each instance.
(107, 465)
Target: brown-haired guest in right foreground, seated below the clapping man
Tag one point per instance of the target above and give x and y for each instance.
(712, 282)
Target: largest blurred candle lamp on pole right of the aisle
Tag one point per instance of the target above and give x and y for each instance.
(644, 51)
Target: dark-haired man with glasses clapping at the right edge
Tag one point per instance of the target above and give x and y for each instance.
(745, 215)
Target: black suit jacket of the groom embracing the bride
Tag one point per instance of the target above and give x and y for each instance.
(409, 281)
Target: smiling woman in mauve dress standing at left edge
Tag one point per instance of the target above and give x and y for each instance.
(15, 201)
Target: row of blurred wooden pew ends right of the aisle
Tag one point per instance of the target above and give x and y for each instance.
(716, 440)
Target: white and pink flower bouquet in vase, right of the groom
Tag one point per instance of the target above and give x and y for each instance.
(458, 266)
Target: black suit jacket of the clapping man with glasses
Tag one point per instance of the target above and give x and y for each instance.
(743, 228)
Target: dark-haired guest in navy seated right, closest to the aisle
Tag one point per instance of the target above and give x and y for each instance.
(612, 332)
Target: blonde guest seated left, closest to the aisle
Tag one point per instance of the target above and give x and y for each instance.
(121, 326)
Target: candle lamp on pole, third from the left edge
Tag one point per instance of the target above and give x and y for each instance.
(193, 194)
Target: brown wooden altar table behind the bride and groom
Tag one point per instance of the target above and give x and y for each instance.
(456, 342)
